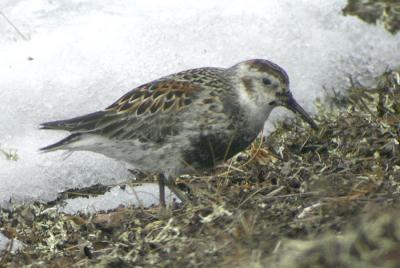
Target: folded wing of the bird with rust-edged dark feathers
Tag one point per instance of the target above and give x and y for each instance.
(149, 112)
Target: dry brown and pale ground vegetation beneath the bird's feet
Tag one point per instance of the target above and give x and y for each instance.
(302, 198)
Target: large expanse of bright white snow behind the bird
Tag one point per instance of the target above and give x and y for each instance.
(71, 57)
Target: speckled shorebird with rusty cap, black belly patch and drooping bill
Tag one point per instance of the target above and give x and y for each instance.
(184, 122)
